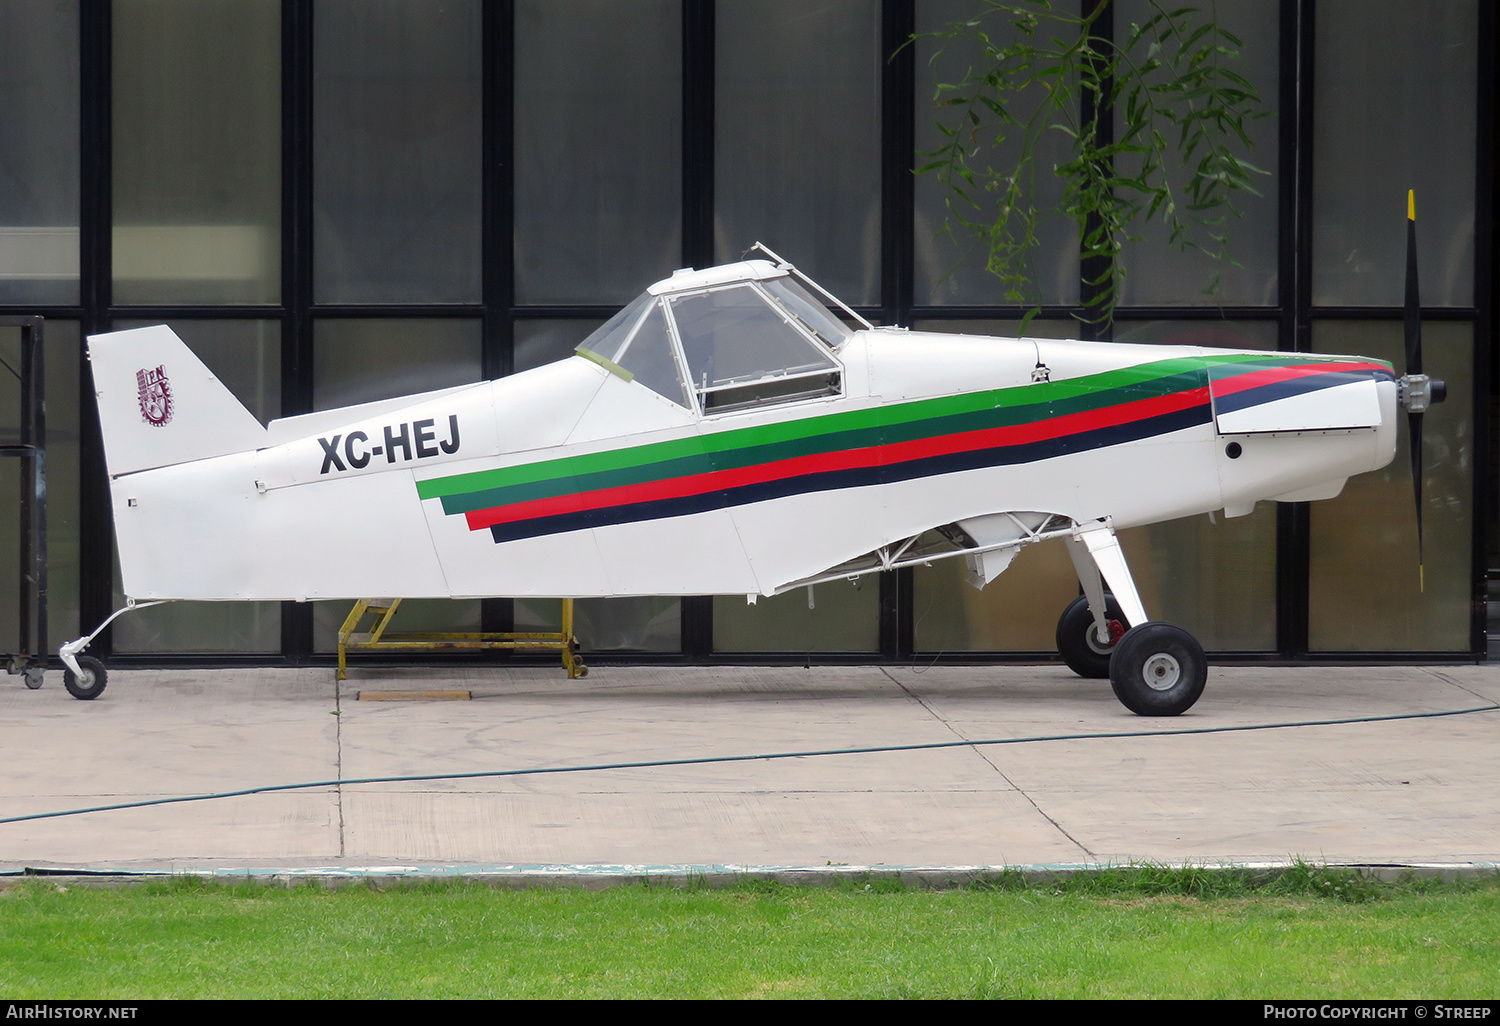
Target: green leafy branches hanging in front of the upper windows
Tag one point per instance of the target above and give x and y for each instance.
(1156, 127)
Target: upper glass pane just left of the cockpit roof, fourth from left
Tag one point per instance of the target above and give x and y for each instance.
(598, 149)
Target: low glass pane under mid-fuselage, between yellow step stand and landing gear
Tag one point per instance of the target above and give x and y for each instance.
(833, 617)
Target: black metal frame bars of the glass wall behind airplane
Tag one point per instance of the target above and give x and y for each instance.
(497, 311)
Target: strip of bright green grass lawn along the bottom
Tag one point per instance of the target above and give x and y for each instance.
(1127, 934)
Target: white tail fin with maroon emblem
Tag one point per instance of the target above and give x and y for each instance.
(161, 406)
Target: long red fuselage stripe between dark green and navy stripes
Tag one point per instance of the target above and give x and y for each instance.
(844, 460)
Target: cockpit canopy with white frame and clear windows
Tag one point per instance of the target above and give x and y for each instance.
(727, 338)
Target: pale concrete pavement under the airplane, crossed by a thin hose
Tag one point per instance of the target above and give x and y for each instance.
(1403, 791)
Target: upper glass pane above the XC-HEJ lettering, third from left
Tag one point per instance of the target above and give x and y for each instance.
(397, 151)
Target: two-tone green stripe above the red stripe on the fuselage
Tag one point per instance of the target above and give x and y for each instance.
(806, 436)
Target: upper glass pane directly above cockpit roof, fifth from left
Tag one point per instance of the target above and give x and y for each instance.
(799, 139)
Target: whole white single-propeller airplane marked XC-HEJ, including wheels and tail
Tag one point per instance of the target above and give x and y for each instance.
(728, 434)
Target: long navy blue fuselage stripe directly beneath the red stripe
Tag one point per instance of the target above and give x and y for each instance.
(856, 478)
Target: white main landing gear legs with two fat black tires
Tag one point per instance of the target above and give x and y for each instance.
(1156, 668)
